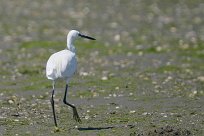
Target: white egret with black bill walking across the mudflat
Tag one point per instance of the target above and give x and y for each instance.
(63, 64)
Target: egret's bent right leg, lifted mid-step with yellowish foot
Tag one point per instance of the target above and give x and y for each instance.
(75, 113)
